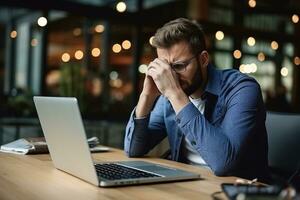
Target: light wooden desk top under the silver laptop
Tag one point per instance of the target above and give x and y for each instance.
(33, 177)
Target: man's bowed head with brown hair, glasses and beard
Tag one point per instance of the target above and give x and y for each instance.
(181, 43)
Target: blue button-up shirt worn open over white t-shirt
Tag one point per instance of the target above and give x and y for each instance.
(230, 136)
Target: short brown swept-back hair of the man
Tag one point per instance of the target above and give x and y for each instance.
(178, 30)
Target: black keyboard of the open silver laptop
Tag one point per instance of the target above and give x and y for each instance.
(111, 171)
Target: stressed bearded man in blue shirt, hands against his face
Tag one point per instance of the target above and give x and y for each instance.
(212, 118)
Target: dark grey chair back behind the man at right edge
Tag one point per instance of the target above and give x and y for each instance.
(284, 142)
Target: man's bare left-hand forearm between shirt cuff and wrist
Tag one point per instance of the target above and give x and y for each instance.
(144, 105)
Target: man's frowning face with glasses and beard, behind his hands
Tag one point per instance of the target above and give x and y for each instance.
(191, 78)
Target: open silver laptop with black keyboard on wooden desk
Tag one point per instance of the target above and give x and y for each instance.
(66, 139)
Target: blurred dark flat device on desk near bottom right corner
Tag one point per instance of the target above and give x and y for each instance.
(266, 192)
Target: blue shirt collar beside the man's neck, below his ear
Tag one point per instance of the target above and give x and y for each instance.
(214, 80)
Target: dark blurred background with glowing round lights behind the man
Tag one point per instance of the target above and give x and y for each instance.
(98, 51)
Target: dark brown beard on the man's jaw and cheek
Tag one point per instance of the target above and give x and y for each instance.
(195, 84)
